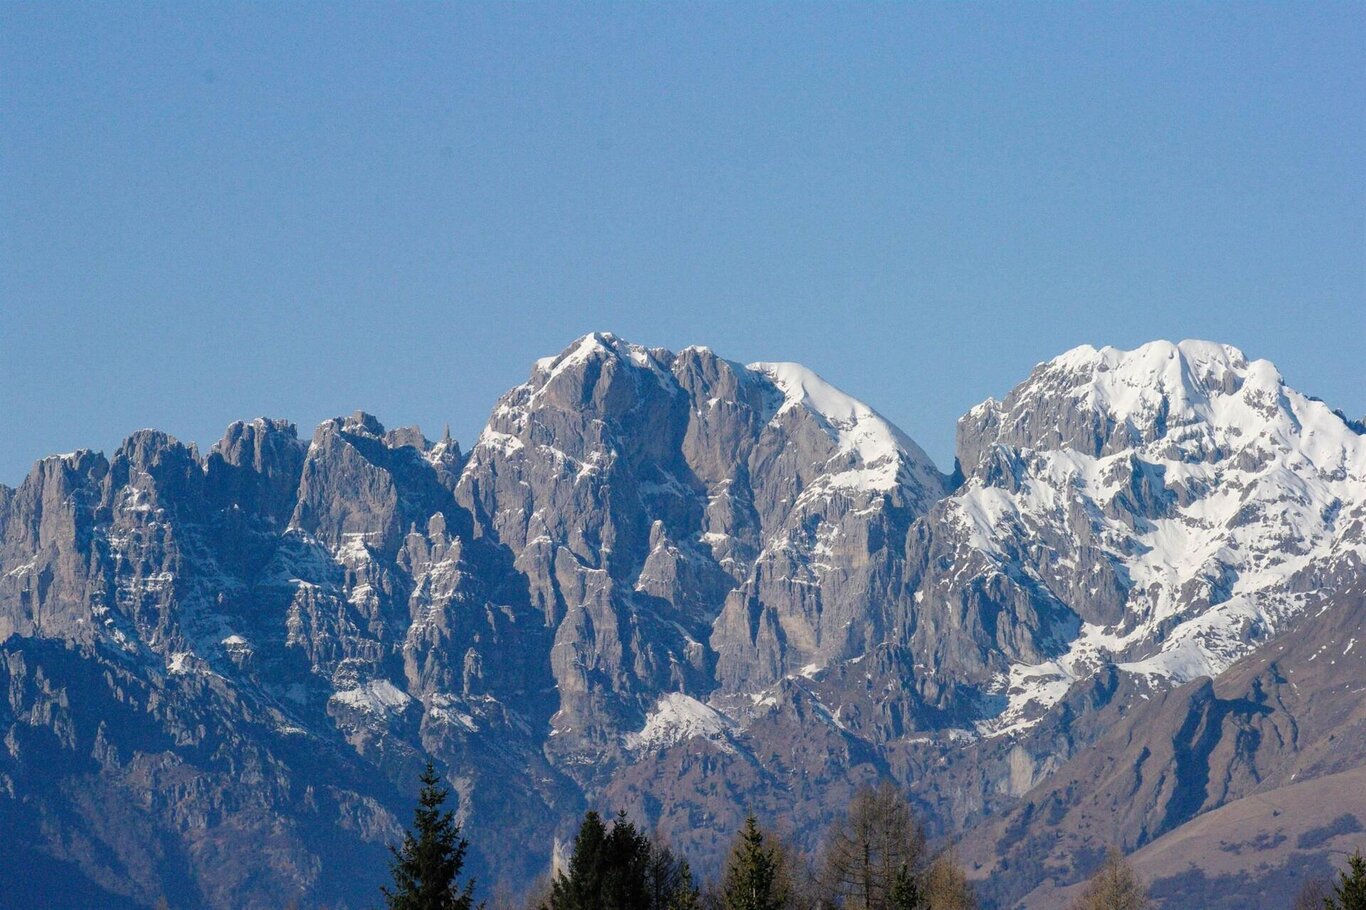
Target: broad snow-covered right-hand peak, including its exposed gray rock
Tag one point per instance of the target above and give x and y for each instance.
(1216, 494)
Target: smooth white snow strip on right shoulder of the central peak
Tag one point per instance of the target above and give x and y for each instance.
(879, 447)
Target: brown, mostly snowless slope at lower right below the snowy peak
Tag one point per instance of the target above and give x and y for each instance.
(1255, 741)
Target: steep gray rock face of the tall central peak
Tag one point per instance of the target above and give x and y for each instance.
(688, 524)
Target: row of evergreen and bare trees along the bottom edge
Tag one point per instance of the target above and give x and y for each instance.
(876, 857)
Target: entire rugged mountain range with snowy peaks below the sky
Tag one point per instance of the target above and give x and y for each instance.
(688, 588)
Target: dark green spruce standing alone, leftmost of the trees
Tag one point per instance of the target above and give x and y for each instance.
(428, 866)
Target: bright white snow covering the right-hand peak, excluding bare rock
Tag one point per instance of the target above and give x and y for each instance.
(1274, 483)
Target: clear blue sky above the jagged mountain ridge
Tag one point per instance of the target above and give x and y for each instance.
(217, 212)
